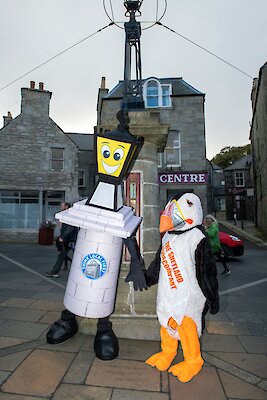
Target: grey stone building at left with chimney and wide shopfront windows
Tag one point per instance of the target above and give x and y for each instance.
(39, 166)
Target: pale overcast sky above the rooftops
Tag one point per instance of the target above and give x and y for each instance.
(33, 31)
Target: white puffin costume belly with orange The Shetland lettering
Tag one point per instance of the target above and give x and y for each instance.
(179, 294)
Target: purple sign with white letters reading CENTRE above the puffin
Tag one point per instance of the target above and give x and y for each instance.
(183, 178)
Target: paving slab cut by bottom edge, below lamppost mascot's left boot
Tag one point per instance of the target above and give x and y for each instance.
(79, 392)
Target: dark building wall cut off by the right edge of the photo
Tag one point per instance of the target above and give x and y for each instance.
(258, 137)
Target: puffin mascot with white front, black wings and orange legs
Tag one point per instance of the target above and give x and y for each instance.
(187, 286)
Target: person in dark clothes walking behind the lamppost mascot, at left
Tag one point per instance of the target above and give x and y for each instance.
(68, 236)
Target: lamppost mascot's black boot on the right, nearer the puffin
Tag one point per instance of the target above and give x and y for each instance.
(106, 344)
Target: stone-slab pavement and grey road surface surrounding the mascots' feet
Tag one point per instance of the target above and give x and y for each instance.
(234, 345)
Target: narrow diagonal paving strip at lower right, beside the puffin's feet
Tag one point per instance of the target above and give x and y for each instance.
(232, 369)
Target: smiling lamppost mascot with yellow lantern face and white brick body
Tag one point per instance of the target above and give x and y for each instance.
(105, 225)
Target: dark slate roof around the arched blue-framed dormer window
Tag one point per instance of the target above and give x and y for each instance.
(179, 88)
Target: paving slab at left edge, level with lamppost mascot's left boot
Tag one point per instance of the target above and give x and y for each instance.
(21, 329)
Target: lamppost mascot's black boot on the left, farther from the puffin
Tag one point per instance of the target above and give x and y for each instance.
(63, 329)
